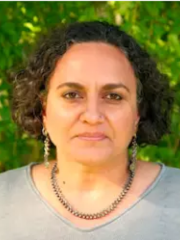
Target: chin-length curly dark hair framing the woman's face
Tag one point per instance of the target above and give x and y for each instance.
(154, 95)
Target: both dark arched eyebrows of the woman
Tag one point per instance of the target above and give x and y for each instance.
(109, 86)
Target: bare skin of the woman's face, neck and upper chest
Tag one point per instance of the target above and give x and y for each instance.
(92, 173)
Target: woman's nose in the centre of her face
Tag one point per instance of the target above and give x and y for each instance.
(92, 114)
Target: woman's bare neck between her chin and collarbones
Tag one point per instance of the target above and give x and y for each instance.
(80, 178)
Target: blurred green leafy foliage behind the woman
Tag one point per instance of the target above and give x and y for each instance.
(155, 25)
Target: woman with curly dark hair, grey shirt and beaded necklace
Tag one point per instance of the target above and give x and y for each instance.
(92, 92)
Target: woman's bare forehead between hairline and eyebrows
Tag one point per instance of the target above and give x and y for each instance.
(94, 62)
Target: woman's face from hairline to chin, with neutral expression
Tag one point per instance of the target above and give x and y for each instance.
(93, 91)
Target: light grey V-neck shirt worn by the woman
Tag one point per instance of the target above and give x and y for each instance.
(24, 214)
